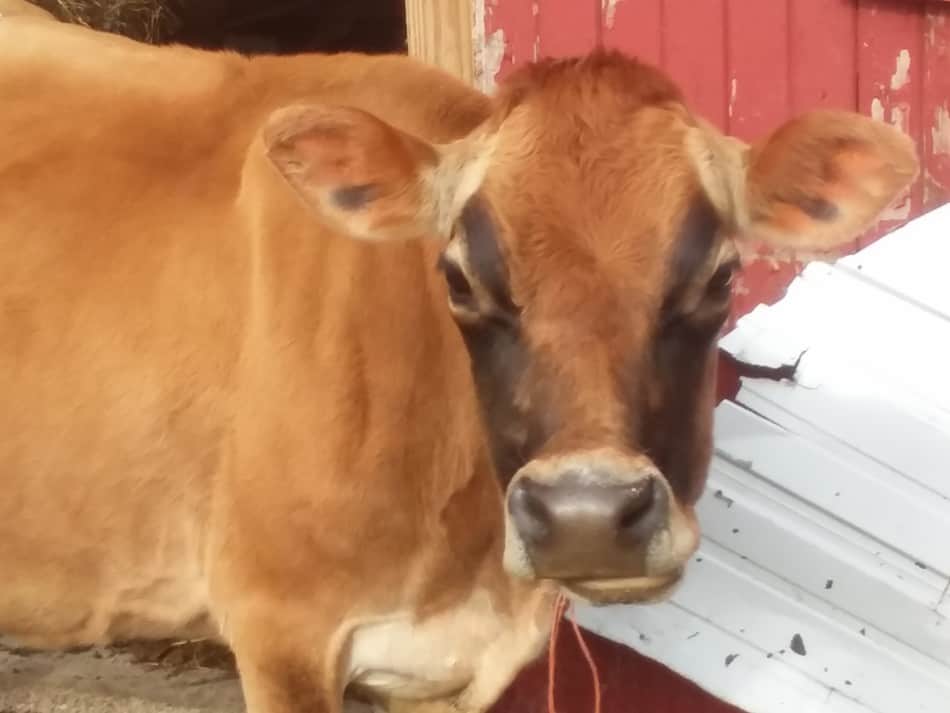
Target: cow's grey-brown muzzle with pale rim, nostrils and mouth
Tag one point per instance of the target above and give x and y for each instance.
(603, 527)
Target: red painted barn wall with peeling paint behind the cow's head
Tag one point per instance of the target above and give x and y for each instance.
(748, 65)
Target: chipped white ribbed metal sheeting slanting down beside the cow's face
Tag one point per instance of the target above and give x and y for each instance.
(823, 581)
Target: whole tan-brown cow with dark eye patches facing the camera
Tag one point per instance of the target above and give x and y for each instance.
(354, 368)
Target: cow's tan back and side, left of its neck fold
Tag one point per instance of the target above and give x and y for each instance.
(123, 288)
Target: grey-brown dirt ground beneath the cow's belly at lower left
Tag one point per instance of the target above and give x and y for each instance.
(137, 678)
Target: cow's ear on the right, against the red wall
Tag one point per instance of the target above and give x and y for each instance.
(817, 182)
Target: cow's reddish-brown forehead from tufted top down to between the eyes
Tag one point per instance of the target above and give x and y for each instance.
(591, 174)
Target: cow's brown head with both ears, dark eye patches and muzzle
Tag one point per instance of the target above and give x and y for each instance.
(590, 234)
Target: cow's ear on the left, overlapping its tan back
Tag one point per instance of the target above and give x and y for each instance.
(373, 181)
